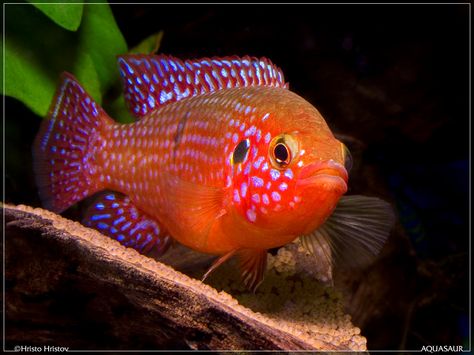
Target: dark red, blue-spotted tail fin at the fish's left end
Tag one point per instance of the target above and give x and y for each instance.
(64, 148)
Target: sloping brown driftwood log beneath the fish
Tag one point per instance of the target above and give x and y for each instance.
(69, 286)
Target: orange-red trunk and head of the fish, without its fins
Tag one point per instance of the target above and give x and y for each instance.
(176, 166)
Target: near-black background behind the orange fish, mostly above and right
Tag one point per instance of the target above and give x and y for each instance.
(393, 82)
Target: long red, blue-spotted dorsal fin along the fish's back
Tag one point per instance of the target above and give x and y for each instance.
(151, 81)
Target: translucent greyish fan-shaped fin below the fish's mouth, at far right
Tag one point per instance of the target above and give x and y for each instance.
(355, 232)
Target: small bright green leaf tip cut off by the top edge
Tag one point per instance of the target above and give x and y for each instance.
(67, 15)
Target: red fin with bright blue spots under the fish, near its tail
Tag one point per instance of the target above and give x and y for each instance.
(115, 216)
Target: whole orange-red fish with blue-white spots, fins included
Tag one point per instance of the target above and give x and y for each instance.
(223, 158)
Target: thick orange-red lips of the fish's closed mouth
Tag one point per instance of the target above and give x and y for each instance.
(328, 173)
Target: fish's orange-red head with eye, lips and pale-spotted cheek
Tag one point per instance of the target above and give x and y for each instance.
(295, 175)
